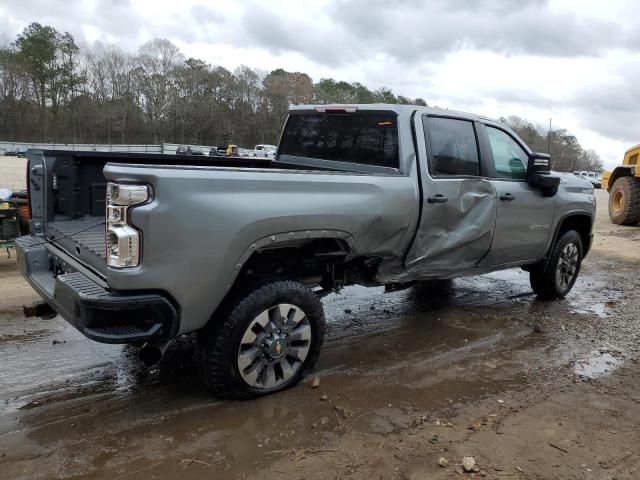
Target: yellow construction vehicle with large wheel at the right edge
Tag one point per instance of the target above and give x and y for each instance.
(623, 185)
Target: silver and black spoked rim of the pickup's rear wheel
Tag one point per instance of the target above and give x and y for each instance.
(274, 346)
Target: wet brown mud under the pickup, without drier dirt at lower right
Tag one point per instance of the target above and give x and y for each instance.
(391, 360)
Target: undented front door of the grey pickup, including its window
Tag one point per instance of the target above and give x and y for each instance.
(525, 216)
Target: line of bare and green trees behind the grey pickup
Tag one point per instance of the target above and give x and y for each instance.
(52, 90)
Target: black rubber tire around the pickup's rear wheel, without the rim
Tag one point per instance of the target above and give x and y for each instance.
(219, 344)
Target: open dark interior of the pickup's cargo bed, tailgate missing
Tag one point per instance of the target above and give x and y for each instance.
(70, 212)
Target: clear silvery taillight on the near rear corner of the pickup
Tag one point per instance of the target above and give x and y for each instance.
(123, 241)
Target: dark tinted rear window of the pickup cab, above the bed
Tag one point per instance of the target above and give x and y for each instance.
(366, 138)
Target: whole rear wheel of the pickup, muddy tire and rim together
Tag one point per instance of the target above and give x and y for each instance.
(263, 341)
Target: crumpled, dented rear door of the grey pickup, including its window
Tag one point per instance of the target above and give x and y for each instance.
(459, 202)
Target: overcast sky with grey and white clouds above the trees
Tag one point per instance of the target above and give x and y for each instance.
(577, 62)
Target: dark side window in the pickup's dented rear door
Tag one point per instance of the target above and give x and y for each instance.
(454, 147)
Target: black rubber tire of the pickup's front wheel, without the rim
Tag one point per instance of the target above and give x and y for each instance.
(543, 279)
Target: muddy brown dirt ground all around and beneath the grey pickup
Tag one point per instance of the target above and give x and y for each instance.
(529, 389)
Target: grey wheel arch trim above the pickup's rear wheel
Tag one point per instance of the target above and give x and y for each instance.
(283, 238)
